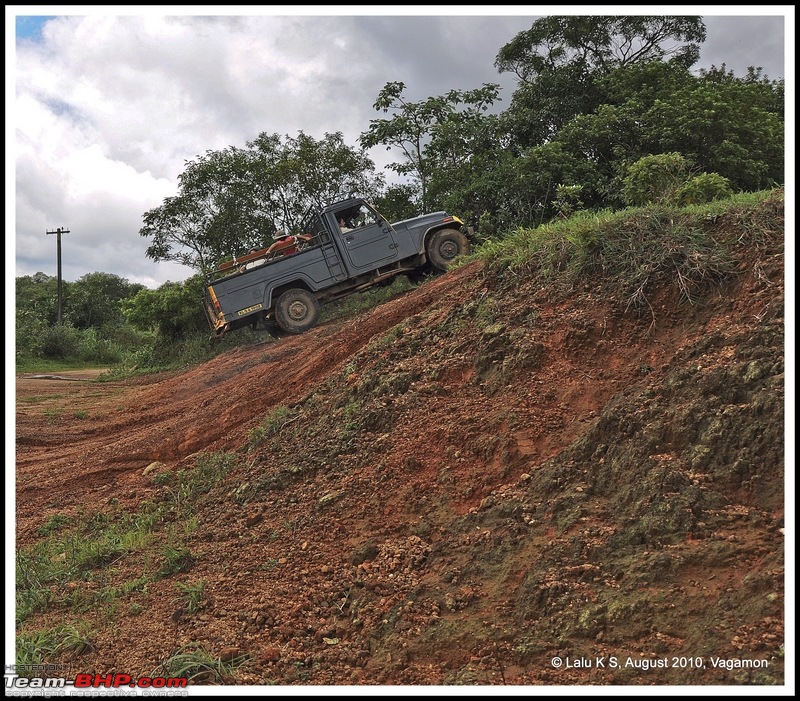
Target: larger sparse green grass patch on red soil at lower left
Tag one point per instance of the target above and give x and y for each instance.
(73, 565)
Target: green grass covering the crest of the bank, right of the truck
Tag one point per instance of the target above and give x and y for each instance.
(634, 249)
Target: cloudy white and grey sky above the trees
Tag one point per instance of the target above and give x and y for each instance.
(105, 105)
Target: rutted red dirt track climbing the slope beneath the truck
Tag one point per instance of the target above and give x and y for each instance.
(102, 435)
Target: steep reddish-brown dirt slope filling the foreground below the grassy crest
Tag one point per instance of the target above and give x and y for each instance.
(460, 487)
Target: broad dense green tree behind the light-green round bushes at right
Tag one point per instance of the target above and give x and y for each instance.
(720, 125)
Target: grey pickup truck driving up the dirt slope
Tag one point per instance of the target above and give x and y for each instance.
(350, 247)
